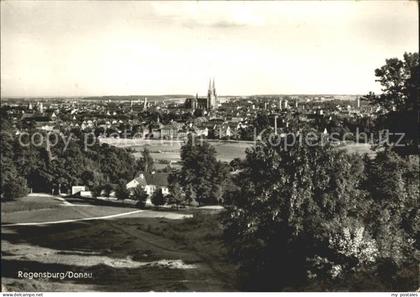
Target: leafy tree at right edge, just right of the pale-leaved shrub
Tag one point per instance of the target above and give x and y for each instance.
(393, 184)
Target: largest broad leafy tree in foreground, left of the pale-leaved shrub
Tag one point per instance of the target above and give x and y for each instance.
(289, 204)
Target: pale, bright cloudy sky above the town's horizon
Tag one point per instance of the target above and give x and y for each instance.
(93, 48)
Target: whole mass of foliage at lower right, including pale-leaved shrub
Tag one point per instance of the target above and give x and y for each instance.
(311, 214)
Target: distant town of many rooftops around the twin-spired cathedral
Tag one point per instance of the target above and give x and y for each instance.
(174, 117)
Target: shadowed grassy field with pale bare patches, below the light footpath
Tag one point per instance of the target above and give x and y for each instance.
(142, 251)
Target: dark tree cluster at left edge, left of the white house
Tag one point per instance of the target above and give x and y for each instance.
(67, 163)
